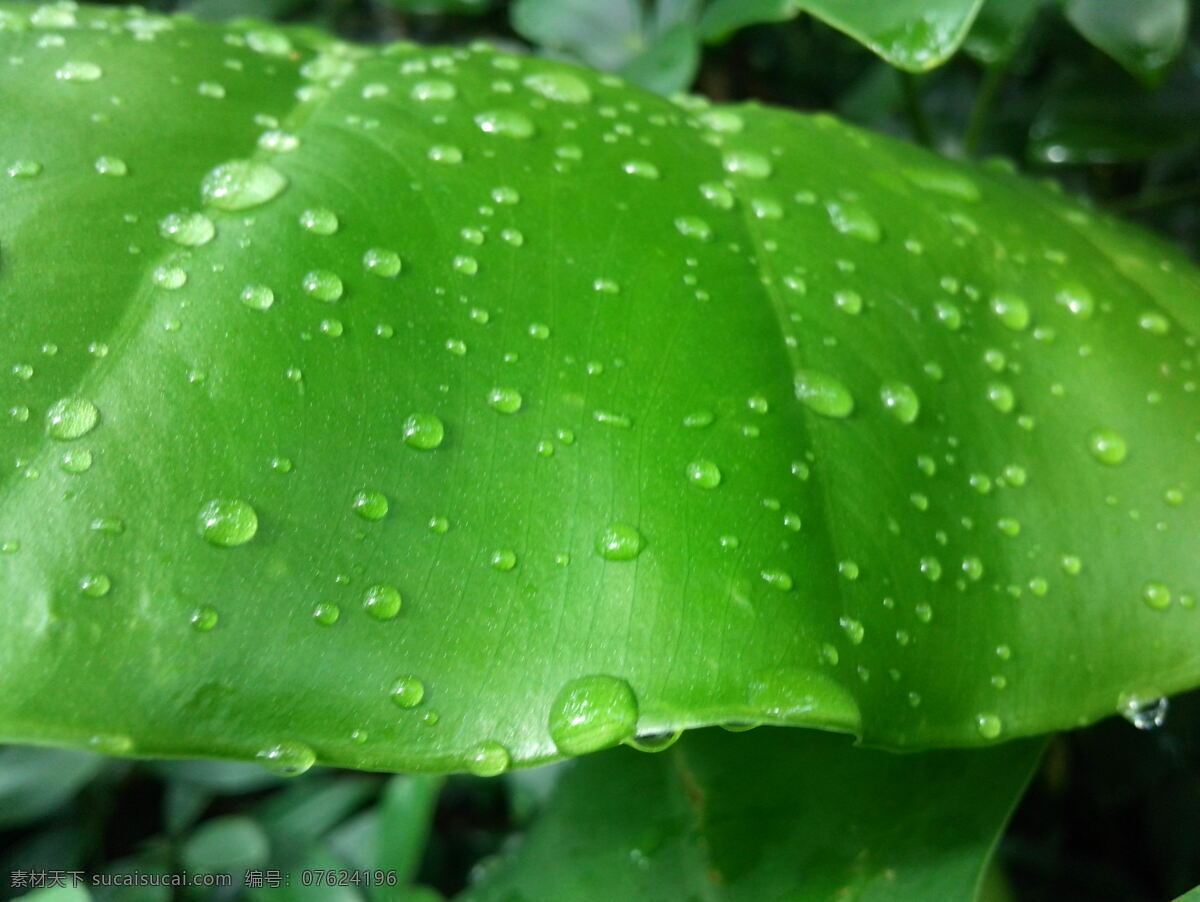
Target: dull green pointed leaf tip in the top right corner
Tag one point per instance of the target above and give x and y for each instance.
(1145, 38)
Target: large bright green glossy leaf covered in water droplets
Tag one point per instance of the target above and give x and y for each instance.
(433, 410)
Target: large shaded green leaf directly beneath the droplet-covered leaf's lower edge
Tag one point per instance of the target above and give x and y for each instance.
(777, 814)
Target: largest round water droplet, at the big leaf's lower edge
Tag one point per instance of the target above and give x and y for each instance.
(593, 713)
